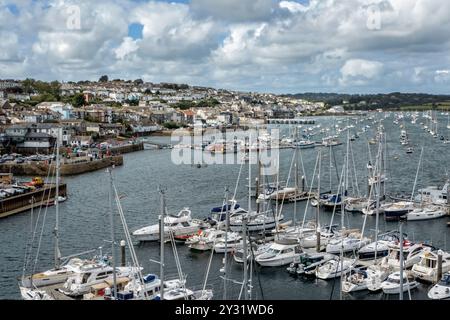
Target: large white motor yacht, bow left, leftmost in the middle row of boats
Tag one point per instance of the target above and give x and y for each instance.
(180, 224)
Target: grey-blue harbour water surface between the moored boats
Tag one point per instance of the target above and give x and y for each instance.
(85, 215)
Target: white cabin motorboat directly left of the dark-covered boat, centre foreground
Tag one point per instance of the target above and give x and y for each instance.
(279, 254)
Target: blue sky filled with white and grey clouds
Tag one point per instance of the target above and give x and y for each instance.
(355, 46)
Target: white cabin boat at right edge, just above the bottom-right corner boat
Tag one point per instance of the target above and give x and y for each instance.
(426, 268)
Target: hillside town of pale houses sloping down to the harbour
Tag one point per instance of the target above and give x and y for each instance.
(32, 112)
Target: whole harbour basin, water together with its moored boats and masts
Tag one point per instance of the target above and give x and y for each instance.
(300, 244)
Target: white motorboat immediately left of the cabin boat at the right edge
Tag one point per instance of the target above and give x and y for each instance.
(412, 254)
